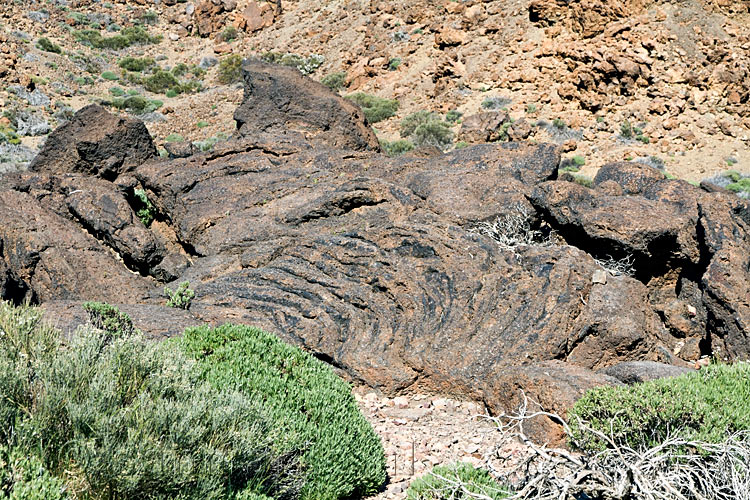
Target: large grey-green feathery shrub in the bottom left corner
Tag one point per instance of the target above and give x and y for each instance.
(116, 416)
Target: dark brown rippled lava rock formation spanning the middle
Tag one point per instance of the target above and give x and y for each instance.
(475, 273)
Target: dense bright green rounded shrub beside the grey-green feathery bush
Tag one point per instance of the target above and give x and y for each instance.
(307, 402)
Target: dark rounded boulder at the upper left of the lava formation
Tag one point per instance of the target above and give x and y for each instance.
(95, 142)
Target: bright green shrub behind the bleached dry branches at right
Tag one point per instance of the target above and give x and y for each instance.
(705, 405)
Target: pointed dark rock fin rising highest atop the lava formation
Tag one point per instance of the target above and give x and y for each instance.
(280, 98)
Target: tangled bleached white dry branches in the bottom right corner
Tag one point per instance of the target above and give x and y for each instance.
(675, 469)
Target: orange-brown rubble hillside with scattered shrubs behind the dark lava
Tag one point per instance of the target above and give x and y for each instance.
(660, 82)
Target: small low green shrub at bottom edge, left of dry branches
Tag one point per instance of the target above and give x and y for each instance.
(451, 482)
